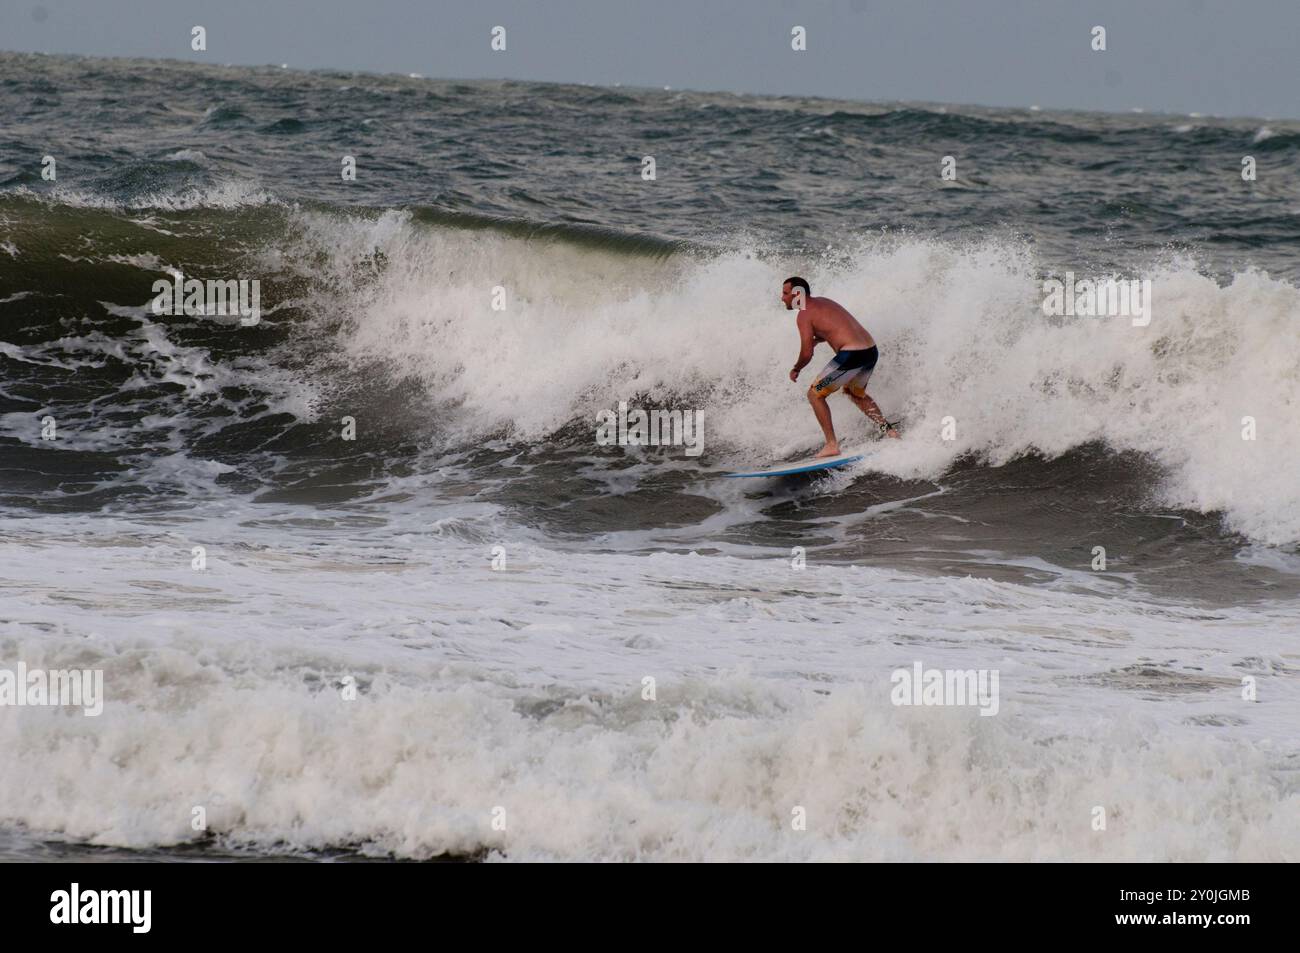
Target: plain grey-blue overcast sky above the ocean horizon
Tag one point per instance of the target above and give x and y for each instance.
(1225, 58)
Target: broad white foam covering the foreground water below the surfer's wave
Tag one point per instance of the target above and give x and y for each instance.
(523, 691)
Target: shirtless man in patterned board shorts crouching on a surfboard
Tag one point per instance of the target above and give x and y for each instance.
(856, 354)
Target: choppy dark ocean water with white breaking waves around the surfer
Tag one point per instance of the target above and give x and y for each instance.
(564, 651)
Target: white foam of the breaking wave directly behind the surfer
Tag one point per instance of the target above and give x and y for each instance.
(961, 332)
